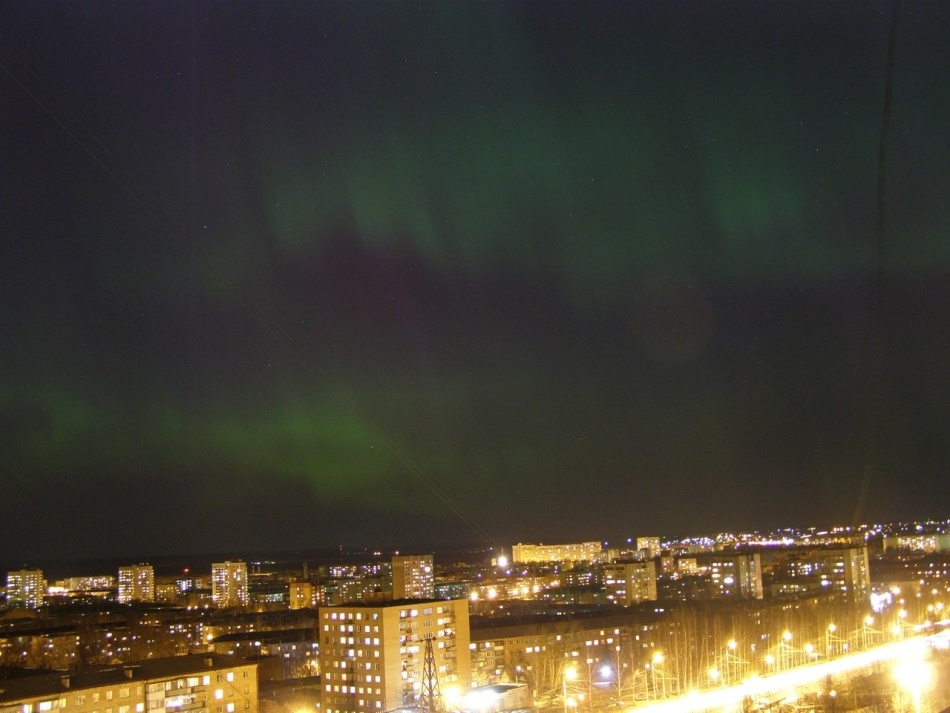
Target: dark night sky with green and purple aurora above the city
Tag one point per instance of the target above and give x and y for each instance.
(285, 275)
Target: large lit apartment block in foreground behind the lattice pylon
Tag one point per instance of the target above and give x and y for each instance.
(371, 656)
